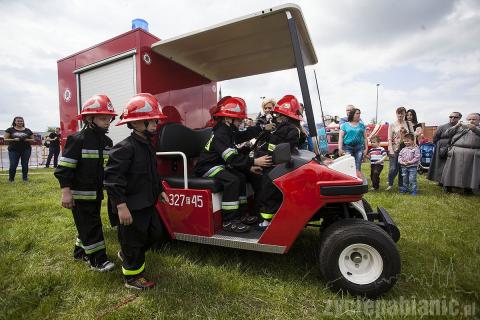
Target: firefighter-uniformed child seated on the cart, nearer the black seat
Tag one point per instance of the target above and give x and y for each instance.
(221, 160)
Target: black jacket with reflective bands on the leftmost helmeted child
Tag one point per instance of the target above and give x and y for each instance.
(82, 162)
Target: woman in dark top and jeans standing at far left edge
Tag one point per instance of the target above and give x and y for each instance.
(19, 148)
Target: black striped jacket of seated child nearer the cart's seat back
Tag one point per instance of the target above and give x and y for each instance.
(221, 152)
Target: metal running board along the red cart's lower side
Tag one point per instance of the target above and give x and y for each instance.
(249, 241)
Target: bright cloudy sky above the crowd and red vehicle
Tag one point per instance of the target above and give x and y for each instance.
(424, 53)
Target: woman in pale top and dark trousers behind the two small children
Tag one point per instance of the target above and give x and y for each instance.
(396, 132)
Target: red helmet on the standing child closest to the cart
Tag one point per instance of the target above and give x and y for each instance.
(142, 106)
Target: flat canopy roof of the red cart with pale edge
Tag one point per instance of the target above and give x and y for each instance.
(253, 44)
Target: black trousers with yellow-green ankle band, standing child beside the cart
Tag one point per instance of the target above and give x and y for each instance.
(135, 239)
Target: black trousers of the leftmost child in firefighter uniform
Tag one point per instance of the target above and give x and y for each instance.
(86, 215)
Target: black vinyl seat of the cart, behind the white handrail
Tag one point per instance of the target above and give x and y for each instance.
(177, 137)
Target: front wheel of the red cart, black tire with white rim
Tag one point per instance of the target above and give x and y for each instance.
(359, 238)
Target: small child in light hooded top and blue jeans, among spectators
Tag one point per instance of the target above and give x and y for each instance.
(408, 158)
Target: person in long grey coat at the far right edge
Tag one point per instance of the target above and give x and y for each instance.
(462, 169)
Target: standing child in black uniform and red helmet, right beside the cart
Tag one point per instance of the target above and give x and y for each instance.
(133, 186)
